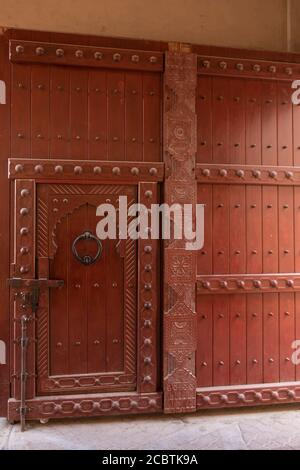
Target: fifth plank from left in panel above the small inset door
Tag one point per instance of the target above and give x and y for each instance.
(97, 115)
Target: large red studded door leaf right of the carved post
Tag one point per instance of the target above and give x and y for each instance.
(248, 268)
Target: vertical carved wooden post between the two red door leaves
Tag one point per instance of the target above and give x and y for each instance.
(180, 264)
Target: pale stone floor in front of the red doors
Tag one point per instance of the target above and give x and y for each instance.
(260, 428)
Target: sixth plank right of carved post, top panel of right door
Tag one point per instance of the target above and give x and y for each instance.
(285, 123)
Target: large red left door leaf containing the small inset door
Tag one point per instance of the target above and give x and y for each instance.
(85, 130)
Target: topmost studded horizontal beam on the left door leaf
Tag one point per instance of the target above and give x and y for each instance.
(84, 56)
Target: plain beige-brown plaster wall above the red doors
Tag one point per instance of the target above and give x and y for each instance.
(255, 24)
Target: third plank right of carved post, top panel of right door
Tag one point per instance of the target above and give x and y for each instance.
(237, 122)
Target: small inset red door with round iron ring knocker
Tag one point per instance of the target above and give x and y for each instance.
(87, 329)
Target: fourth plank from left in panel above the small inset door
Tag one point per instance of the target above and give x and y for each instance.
(78, 113)
